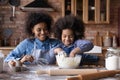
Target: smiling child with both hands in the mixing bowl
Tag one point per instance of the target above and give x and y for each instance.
(70, 30)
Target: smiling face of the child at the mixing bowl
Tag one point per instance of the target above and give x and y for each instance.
(67, 37)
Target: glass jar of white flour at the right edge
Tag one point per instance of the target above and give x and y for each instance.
(112, 59)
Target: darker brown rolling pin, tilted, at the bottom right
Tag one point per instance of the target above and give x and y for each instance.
(96, 75)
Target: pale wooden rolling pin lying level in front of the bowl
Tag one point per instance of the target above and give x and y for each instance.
(65, 72)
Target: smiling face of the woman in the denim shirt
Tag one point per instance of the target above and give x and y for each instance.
(40, 31)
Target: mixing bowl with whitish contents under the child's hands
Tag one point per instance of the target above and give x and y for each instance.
(68, 62)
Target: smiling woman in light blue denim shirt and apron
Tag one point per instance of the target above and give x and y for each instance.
(36, 48)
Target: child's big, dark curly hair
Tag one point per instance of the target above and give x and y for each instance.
(69, 22)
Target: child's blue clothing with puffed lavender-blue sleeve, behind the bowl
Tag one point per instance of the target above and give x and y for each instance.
(84, 45)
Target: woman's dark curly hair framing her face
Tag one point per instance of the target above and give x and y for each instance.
(35, 18)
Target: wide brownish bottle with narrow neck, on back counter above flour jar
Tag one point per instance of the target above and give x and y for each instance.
(107, 40)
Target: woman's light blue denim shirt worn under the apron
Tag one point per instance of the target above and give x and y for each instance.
(27, 45)
